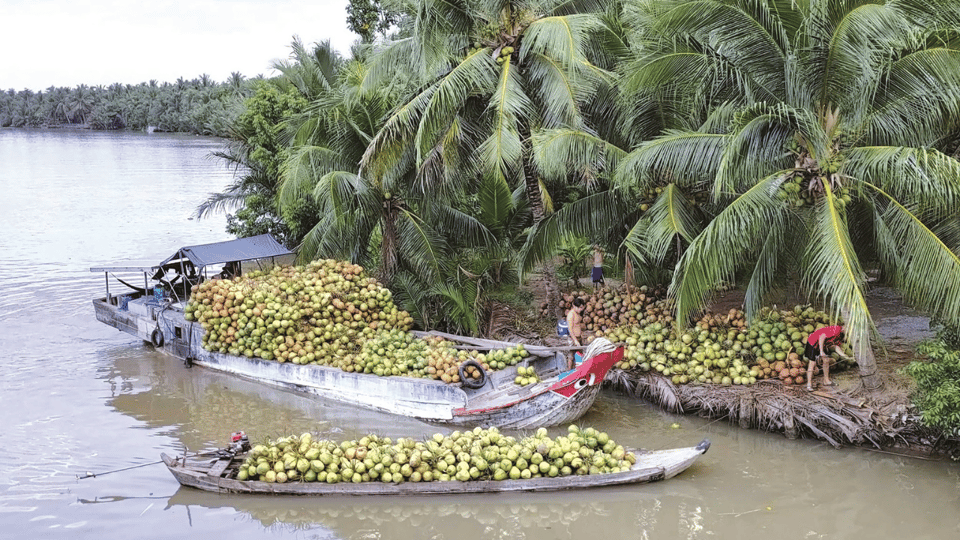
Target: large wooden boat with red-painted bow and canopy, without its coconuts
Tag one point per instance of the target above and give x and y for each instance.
(155, 314)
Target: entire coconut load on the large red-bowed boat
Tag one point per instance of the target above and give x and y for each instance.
(329, 313)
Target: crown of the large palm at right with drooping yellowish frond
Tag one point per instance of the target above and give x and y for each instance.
(819, 123)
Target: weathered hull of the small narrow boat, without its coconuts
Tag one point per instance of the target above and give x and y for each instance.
(219, 476)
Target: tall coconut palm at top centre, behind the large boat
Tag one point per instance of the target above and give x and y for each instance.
(487, 76)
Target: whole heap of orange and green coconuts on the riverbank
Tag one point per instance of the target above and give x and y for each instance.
(719, 349)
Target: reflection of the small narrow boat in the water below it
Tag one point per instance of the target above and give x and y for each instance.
(647, 514)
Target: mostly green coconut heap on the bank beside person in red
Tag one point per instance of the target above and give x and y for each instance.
(724, 349)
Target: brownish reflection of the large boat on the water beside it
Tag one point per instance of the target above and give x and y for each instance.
(198, 405)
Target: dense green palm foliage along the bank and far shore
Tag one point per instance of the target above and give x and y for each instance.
(466, 143)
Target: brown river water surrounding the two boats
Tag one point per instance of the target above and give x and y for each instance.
(79, 397)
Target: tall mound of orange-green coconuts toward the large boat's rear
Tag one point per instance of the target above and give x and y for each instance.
(300, 314)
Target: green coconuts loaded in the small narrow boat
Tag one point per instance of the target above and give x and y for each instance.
(478, 454)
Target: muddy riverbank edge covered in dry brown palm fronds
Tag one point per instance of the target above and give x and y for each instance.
(841, 415)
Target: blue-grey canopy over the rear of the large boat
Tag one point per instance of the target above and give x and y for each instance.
(242, 249)
